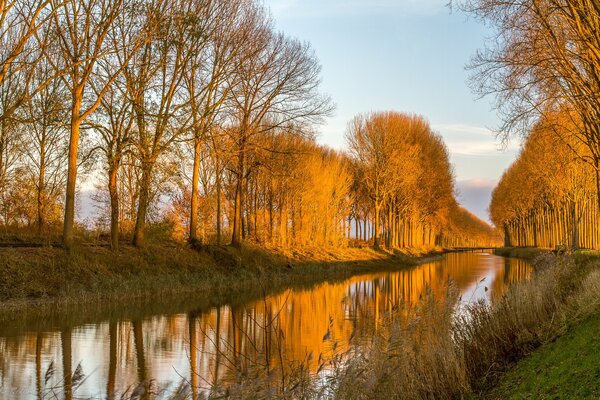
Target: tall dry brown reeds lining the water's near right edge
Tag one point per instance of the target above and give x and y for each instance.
(441, 351)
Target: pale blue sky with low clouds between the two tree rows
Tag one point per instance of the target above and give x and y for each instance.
(410, 56)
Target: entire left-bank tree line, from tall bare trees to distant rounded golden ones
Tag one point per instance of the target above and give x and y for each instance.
(199, 114)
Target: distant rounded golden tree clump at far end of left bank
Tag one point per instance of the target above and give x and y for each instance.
(401, 166)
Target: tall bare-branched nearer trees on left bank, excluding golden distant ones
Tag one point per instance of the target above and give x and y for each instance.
(136, 81)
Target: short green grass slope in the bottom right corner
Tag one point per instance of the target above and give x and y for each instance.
(568, 368)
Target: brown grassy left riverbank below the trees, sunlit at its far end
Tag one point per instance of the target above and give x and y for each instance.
(46, 276)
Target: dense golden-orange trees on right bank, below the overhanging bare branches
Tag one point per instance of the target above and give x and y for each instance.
(548, 198)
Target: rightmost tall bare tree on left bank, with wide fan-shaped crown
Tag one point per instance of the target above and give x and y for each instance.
(276, 82)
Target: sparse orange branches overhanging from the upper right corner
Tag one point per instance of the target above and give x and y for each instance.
(543, 59)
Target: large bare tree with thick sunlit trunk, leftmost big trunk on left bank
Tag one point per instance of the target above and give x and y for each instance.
(78, 33)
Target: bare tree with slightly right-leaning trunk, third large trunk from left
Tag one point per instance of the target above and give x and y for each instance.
(155, 84)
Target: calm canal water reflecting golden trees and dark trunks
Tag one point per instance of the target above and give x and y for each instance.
(115, 348)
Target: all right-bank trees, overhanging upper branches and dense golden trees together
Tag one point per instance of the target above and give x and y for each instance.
(543, 67)
